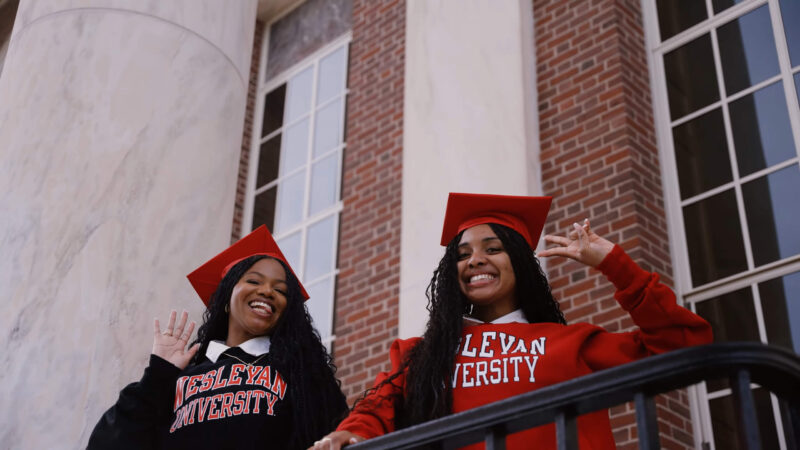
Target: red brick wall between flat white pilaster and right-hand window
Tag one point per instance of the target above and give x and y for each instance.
(599, 160)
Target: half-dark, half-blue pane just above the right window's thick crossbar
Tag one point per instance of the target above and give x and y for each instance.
(772, 216)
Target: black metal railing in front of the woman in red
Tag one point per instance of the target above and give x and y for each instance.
(774, 369)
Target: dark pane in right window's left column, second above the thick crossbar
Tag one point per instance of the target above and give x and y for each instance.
(701, 153)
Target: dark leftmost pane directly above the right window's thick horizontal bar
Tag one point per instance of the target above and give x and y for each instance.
(714, 238)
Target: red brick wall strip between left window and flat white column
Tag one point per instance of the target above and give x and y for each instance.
(367, 292)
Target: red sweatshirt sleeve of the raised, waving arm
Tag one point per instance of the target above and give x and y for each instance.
(662, 324)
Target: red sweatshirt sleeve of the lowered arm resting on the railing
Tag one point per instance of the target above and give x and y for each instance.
(373, 415)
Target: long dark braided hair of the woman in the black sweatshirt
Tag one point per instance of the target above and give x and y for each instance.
(296, 351)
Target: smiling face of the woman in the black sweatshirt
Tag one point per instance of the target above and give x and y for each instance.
(257, 302)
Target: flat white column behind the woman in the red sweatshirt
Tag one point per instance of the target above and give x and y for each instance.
(470, 123)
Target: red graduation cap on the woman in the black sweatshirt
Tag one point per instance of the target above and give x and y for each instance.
(207, 277)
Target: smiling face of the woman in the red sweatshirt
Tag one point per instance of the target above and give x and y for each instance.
(485, 273)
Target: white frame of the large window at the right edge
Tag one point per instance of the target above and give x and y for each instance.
(687, 294)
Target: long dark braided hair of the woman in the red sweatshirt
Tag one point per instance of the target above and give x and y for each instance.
(429, 393)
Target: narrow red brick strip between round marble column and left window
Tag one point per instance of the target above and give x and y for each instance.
(247, 134)
